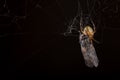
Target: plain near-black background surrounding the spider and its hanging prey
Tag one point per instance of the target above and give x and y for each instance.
(32, 43)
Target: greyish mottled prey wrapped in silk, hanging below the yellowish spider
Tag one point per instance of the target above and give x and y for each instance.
(88, 51)
